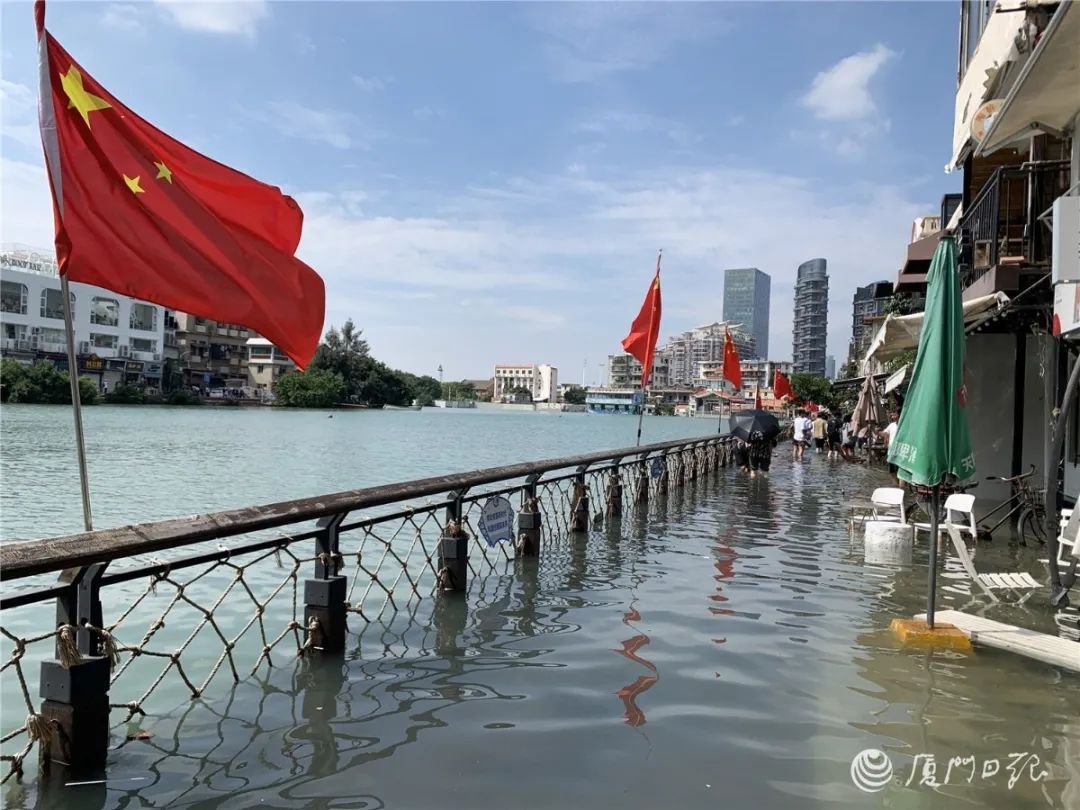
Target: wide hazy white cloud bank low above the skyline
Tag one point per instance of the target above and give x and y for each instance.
(536, 255)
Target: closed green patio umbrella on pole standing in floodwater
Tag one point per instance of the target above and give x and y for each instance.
(933, 444)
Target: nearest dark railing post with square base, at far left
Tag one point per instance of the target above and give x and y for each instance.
(75, 687)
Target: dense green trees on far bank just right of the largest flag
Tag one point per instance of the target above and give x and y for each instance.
(344, 372)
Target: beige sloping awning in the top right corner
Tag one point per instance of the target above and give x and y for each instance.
(1045, 97)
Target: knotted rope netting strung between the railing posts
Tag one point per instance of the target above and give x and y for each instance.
(238, 616)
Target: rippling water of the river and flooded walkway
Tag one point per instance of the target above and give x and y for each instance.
(730, 650)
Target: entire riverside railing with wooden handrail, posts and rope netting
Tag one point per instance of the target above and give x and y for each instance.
(227, 595)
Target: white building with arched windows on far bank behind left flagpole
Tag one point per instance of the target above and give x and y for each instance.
(118, 340)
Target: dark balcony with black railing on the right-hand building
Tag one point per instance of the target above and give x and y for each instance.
(1004, 247)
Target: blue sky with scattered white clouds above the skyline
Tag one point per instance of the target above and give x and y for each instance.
(490, 183)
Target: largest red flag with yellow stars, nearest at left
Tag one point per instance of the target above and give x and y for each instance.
(144, 215)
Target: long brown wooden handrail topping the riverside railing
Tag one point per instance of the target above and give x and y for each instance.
(20, 560)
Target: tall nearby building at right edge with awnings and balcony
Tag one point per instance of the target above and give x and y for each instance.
(1017, 153)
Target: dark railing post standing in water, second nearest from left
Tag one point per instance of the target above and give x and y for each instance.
(325, 611)
